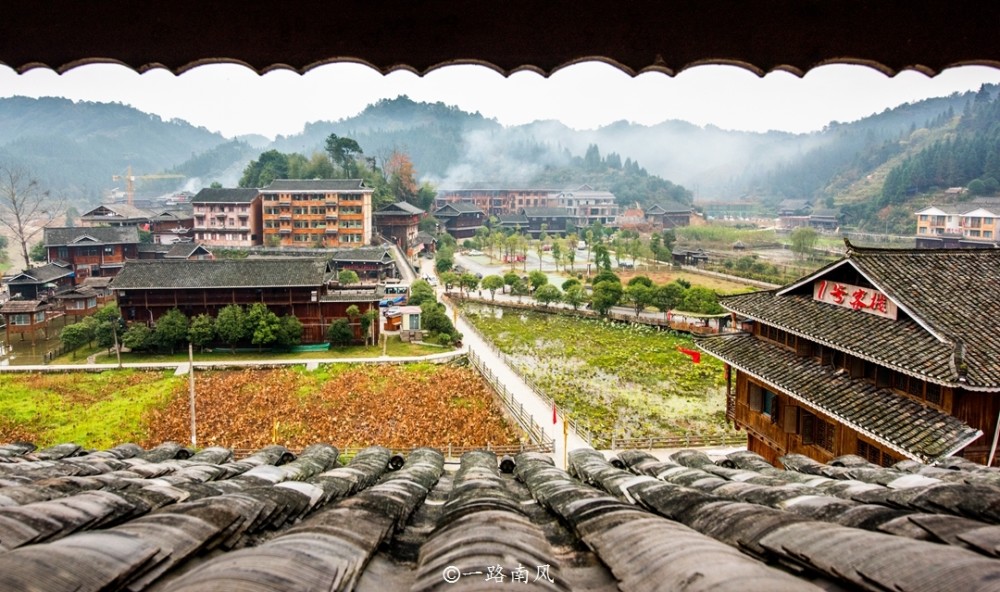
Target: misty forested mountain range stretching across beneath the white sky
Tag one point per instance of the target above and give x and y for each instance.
(75, 148)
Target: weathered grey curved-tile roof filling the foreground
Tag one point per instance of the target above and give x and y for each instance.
(165, 519)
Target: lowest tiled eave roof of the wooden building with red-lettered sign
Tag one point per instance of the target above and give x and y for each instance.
(901, 423)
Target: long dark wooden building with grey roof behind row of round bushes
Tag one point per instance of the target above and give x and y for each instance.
(302, 287)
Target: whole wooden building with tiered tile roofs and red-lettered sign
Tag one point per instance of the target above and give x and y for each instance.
(887, 354)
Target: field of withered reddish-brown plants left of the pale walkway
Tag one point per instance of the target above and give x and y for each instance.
(394, 406)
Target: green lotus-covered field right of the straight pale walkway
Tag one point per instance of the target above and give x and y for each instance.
(629, 380)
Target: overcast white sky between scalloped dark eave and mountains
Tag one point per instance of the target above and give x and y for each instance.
(233, 100)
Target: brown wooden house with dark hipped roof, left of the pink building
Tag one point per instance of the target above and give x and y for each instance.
(92, 252)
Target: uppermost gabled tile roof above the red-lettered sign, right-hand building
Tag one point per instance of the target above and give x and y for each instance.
(949, 292)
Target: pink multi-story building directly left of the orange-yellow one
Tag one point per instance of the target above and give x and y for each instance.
(228, 217)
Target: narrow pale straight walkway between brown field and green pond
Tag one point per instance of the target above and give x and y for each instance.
(540, 411)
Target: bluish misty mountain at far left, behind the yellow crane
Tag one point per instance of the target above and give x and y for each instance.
(74, 148)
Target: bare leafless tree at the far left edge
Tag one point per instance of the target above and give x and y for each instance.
(25, 208)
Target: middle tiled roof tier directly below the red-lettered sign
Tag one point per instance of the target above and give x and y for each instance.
(902, 345)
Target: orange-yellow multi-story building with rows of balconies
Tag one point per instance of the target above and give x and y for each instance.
(320, 212)
